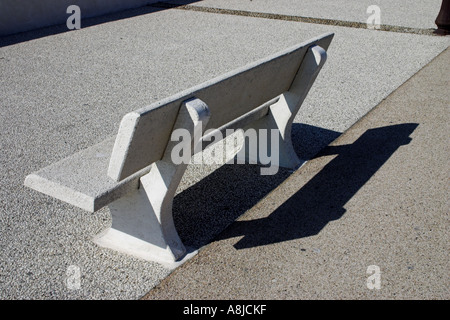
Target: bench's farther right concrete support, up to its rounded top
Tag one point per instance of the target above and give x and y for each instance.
(275, 128)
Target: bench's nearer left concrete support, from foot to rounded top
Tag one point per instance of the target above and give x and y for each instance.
(142, 222)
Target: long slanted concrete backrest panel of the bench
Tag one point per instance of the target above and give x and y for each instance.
(144, 134)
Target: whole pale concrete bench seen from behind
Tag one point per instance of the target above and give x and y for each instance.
(134, 174)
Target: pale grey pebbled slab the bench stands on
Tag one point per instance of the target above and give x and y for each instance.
(68, 91)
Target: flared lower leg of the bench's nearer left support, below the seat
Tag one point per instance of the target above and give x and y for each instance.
(142, 223)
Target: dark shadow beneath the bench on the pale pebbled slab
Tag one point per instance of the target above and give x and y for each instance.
(205, 209)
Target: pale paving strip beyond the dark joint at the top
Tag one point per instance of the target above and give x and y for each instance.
(402, 13)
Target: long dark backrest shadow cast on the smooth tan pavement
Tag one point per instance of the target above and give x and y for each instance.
(322, 199)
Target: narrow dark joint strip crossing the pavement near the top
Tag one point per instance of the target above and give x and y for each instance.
(340, 23)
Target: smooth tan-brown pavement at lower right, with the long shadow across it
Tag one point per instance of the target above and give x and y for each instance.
(366, 219)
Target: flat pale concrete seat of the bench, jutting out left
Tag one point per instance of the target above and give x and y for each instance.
(81, 179)
